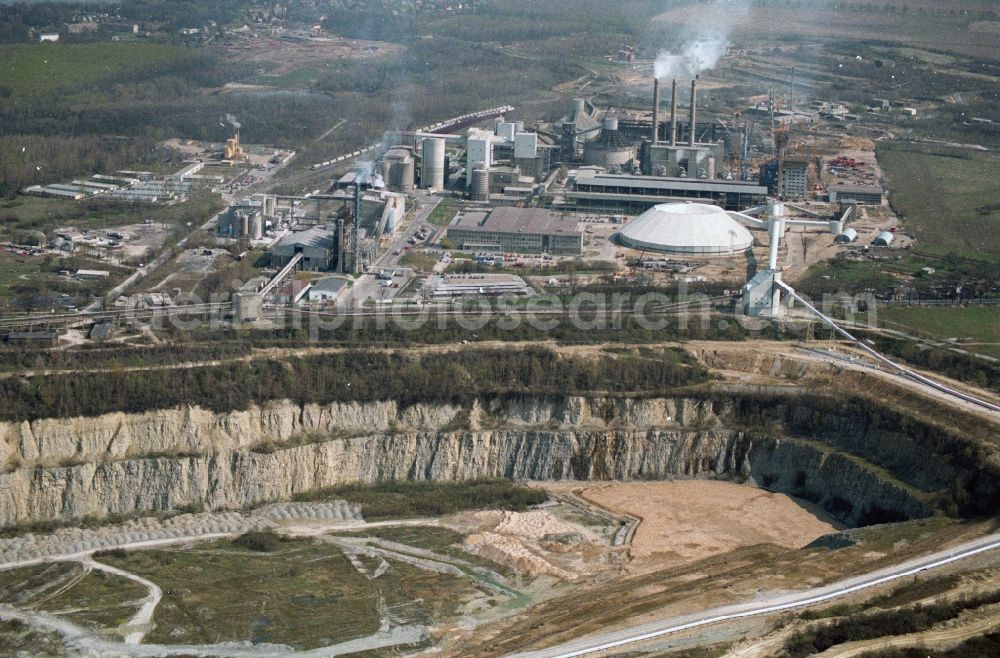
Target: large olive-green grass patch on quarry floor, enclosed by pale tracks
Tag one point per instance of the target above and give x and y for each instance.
(300, 592)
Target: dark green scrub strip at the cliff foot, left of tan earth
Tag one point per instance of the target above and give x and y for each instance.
(403, 499)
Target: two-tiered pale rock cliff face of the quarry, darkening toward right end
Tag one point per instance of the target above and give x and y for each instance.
(121, 464)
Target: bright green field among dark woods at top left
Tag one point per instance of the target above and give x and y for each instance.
(39, 68)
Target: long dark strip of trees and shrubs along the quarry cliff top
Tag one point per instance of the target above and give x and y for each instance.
(453, 377)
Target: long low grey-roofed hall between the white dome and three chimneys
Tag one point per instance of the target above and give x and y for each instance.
(591, 190)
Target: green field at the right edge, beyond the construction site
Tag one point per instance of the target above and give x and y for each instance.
(947, 197)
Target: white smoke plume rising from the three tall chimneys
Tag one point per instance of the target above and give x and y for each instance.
(705, 37)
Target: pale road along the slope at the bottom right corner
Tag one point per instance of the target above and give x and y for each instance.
(640, 633)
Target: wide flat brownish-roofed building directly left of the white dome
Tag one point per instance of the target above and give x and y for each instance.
(519, 230)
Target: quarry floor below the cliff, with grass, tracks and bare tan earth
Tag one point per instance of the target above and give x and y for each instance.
(595, 556)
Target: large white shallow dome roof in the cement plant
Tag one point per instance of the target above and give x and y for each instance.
(686, 228)
